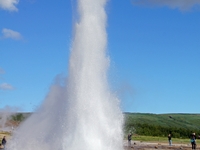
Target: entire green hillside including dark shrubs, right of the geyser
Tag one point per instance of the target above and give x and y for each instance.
(179, 125)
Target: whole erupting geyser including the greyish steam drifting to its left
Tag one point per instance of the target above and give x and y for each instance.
(82, 113)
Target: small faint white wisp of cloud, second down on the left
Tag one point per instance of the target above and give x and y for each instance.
(8, 33)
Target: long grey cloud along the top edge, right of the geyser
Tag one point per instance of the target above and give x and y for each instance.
(180, 4)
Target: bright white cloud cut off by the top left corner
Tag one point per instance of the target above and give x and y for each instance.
(9, 5)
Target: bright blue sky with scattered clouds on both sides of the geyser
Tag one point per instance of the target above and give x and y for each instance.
(153, 46)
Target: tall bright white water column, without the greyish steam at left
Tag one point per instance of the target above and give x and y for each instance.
(97, 119)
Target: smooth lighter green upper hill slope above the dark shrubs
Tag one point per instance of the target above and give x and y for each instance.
(189, 121)
